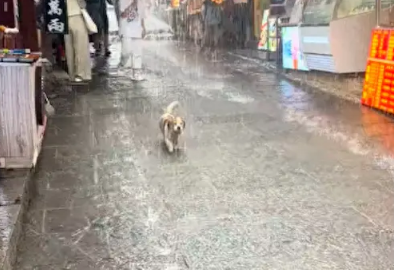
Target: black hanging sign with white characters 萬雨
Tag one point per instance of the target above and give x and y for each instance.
(56, 19)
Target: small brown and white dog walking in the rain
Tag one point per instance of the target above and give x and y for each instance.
(171, 126)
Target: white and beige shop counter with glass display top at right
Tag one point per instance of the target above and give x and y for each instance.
(334, 36)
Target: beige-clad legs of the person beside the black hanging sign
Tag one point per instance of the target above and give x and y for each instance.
(83, 68)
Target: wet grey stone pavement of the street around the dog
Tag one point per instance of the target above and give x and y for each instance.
(270, 176)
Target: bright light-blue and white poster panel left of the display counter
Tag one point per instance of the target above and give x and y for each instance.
(293, 57)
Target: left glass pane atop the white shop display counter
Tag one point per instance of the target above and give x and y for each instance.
(318, 12)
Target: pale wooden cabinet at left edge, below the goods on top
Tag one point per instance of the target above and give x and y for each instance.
(21, 134)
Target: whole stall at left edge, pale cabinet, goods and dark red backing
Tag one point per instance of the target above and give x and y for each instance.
(22, 114)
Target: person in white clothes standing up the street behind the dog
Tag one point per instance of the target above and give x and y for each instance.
(132, 15)
